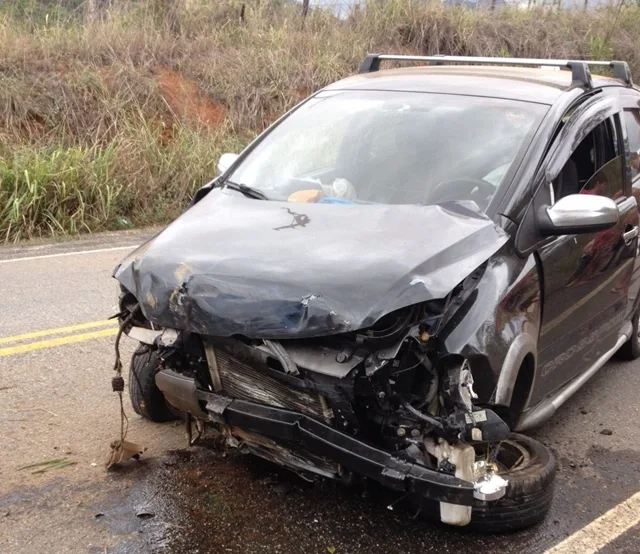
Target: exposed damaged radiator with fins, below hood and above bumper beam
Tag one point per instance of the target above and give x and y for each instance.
(241, 381)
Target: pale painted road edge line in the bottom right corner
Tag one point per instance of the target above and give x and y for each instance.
(600, 532)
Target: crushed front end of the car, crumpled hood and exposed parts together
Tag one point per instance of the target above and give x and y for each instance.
(322, 349)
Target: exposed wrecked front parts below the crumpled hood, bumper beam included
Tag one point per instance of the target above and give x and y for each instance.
(386, 402)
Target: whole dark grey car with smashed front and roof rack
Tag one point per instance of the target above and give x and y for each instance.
(399, 273)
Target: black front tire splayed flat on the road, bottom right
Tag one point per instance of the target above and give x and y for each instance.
(528, 496)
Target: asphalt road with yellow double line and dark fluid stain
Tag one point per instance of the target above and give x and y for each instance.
(56, 356)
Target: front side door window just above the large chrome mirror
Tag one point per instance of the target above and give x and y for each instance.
(595, 166)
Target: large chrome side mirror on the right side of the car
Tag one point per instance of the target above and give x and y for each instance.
(578, 213)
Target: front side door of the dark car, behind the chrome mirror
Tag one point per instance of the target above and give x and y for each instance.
(586, 277)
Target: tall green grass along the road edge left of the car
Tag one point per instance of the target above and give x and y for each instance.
(133, 178)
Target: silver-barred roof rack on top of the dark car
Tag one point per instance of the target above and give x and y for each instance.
(579, 68)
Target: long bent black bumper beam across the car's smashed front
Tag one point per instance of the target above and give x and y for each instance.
(355, 455)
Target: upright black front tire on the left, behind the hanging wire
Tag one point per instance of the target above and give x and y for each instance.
(146, 398)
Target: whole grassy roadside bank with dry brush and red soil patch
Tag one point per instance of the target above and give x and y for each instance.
(114, 122)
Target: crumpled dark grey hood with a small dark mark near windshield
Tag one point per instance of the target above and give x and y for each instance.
(265, 269)
